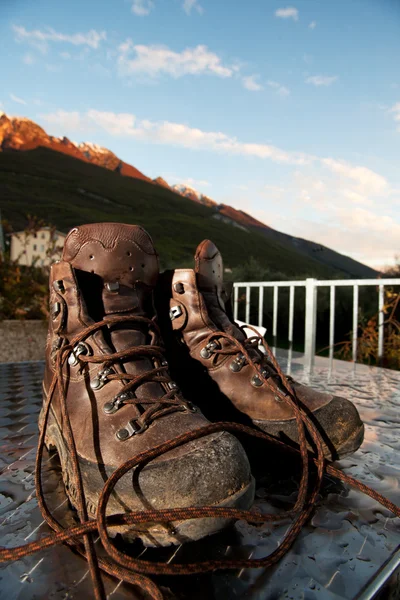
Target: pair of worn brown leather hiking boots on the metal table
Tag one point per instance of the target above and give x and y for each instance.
(109, 394)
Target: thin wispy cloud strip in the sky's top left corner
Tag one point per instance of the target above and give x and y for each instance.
(40, 39)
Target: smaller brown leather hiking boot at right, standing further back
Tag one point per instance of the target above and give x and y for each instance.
(197, 330)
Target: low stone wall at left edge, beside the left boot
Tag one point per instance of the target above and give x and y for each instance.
(22, 340)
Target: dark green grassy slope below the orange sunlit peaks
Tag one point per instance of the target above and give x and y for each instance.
(46, 184)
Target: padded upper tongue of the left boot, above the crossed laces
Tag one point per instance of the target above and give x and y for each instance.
(120, 258)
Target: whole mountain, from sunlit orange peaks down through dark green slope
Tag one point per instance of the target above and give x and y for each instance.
(21, 134)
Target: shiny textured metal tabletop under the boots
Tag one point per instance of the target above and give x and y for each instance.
(341, 553)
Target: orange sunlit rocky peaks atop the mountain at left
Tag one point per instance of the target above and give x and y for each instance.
(19, 133)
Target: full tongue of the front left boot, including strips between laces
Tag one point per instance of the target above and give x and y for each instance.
(117, 267)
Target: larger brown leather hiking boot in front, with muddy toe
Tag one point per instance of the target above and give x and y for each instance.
(119, 396)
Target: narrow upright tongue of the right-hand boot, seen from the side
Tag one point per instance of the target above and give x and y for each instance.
(209, 269)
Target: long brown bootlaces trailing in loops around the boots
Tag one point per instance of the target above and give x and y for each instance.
(135, 570)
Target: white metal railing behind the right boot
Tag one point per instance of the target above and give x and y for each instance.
(311, 286)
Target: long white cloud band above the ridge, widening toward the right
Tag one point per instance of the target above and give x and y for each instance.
(342, 205)
